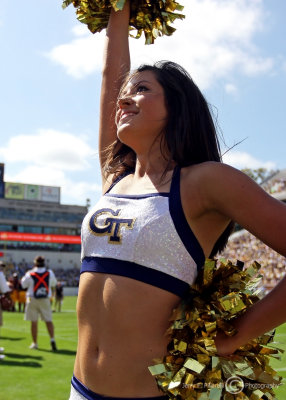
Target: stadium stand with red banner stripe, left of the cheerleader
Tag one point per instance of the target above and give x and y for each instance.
(33, 221)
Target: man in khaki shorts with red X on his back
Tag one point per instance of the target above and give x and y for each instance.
(39, 283)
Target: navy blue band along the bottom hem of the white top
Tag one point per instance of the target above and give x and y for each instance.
(135, 271)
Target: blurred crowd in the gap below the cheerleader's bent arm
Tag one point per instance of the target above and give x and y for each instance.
(247, 248)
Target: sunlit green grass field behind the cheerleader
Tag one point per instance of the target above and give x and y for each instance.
(42, 375)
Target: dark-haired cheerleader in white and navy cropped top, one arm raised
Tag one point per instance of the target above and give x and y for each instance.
(167, 203)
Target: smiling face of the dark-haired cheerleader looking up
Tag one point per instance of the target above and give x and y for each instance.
(141, 111)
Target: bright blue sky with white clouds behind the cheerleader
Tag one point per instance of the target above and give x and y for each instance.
(235, 50)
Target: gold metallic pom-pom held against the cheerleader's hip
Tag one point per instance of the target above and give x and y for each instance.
(192, 370)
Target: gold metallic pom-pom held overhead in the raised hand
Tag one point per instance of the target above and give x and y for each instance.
(153, 17)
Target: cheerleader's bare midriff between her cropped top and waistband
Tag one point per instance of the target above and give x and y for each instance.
(122, 327)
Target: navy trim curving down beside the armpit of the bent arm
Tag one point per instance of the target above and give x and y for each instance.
(181, 224)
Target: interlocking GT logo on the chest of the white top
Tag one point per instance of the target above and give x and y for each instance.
(110, 224)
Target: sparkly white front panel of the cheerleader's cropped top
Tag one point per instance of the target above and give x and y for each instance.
(145, 234)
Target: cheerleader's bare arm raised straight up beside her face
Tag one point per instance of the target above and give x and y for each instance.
(116, 65)
